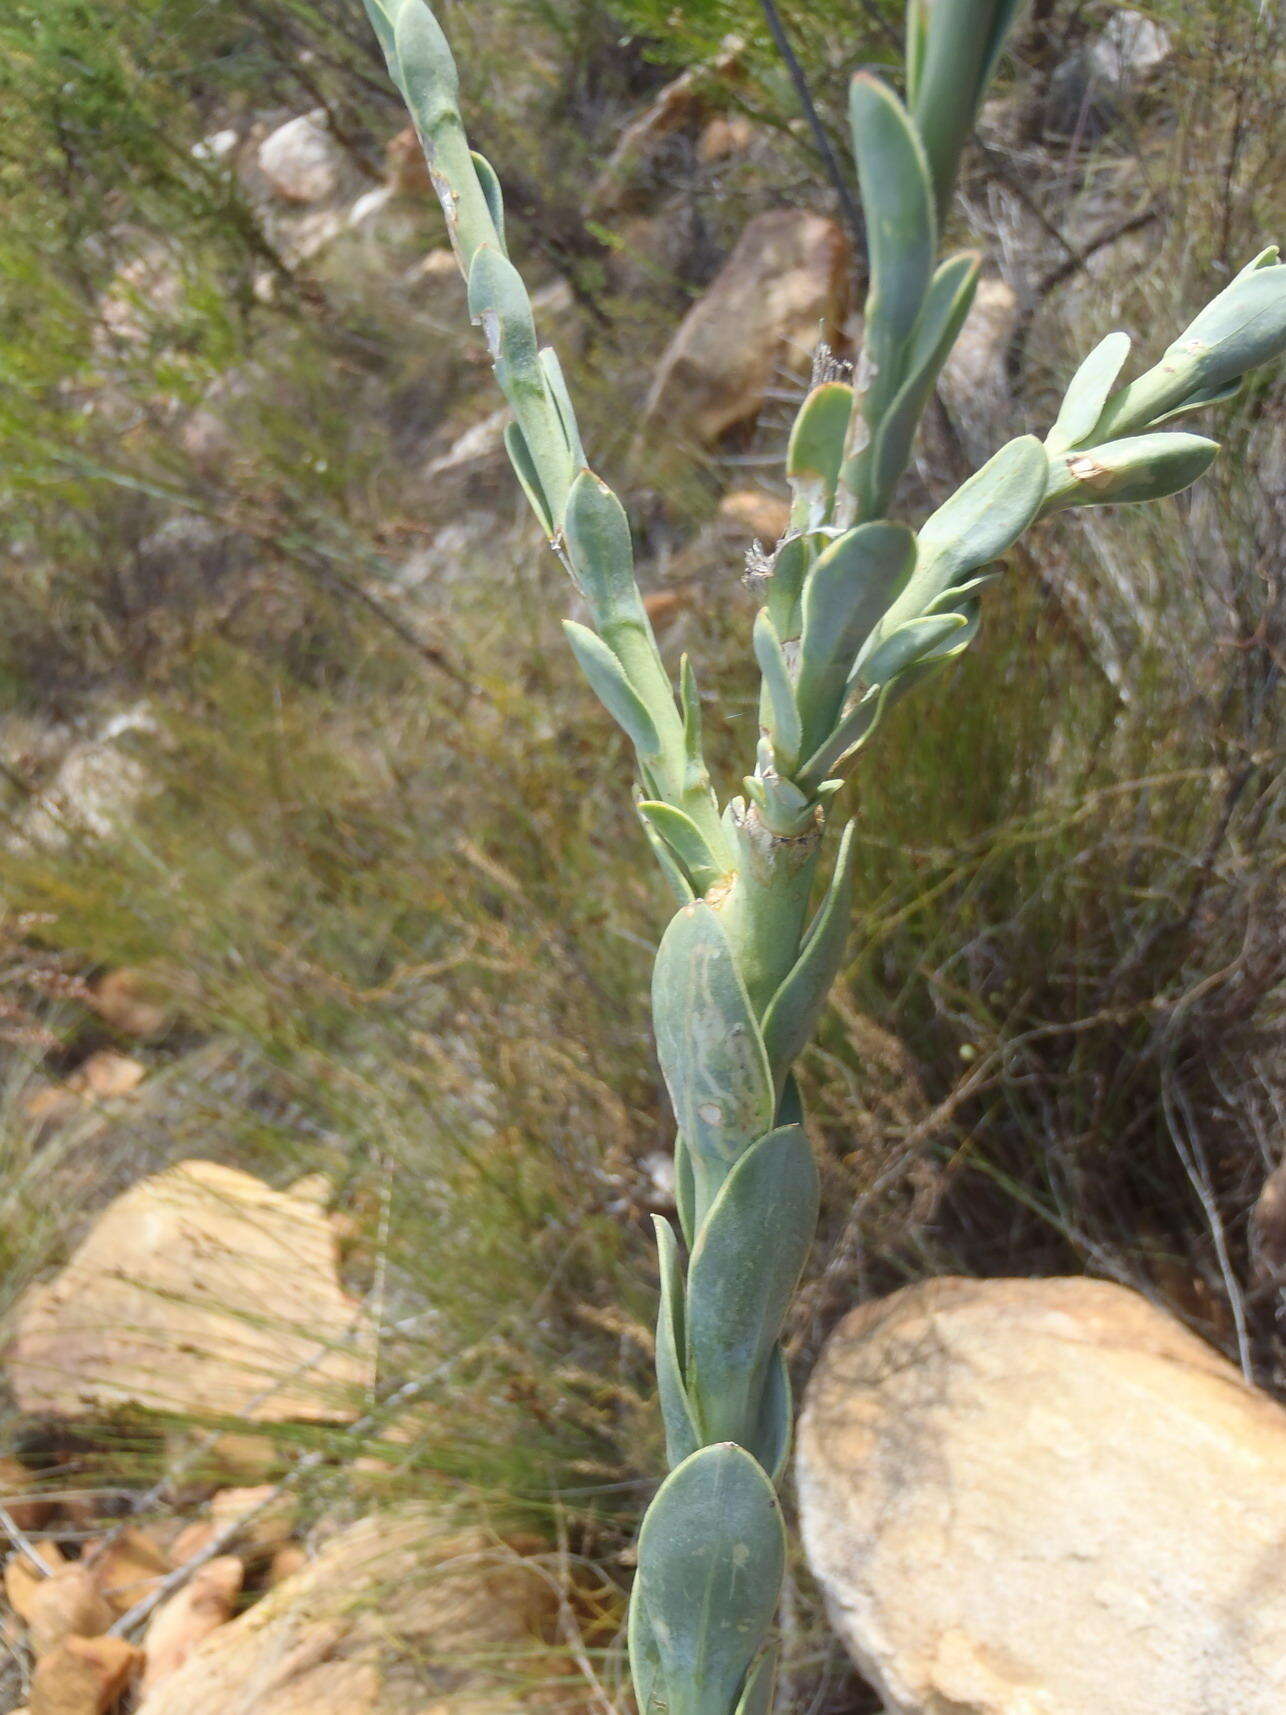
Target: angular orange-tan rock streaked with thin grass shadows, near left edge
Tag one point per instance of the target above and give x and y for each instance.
(200, 1291)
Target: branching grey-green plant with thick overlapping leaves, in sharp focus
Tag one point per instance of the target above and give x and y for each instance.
(856, 610)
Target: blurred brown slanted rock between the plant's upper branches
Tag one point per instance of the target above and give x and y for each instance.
(783, 289)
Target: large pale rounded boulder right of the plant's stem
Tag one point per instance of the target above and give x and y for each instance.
(1045, 1498)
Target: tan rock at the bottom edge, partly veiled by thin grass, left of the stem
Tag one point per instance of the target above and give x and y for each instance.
(394, 1618)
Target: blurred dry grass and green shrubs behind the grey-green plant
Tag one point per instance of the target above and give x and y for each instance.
(287, 723)
